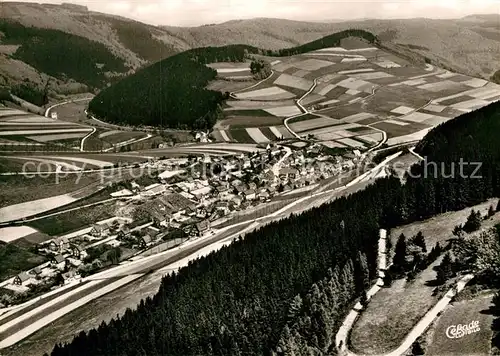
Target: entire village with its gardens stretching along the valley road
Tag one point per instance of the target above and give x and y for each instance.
(190, 198)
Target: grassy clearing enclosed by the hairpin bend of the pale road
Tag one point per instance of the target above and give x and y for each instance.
(392, 313)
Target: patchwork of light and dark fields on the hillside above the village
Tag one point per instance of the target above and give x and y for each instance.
(387, 97)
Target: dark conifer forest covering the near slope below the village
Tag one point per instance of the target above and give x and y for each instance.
(285, 288)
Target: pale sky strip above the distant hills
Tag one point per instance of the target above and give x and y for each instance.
(199, 12)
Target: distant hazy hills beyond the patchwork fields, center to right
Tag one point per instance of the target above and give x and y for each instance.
(470, 45)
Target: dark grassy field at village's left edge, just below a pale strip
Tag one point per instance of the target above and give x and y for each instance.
(74, 220)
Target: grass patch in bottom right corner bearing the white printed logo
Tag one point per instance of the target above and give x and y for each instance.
(465, 312)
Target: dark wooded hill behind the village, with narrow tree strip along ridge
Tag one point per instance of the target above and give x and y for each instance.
(171, 93)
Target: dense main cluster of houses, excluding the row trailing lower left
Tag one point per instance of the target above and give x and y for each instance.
(193, 202)
